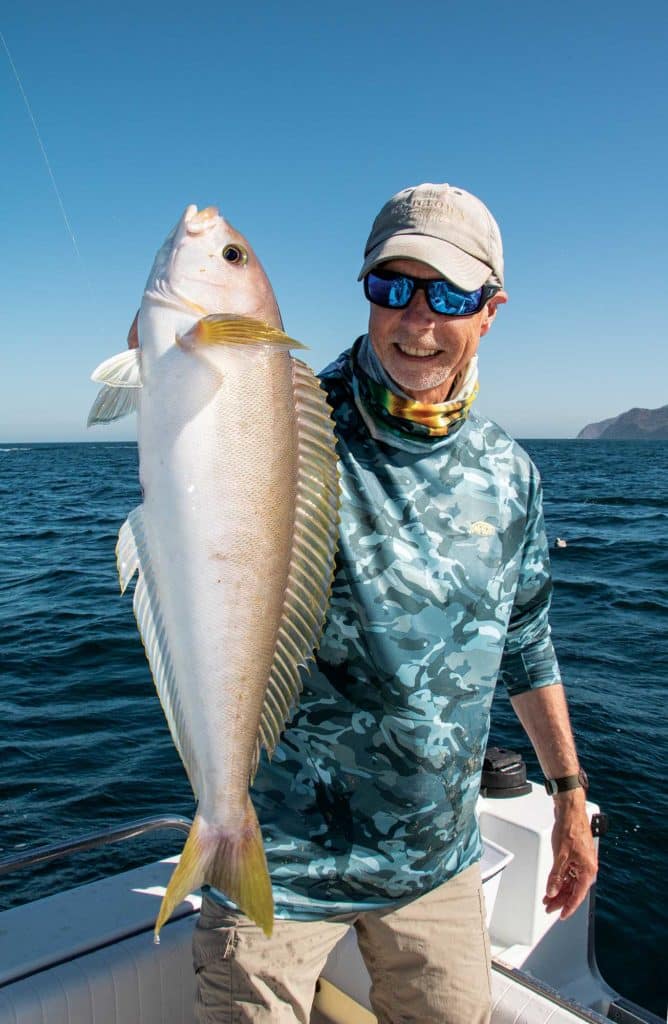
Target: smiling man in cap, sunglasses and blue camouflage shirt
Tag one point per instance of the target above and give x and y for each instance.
(442, 587)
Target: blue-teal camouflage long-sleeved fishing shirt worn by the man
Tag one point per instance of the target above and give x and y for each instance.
(442, 586)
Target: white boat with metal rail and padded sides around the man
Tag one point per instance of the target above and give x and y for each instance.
(87, 955)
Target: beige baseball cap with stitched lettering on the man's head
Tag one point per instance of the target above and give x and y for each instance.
(444, 227)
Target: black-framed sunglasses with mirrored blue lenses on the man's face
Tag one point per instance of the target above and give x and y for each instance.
(395, 291)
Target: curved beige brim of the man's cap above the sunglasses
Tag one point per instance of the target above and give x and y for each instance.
(451, 263)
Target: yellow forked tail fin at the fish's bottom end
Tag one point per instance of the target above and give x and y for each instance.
(233, 863)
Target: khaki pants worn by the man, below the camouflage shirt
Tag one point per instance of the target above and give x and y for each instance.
(429, 961)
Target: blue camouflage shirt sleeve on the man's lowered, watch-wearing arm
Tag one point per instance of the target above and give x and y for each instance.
(529, 660)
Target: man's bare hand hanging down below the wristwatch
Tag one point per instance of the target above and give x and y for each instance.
(576, 864)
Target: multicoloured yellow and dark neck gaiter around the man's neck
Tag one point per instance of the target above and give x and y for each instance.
(403, 415)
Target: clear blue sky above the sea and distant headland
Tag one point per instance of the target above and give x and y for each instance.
(300, 120)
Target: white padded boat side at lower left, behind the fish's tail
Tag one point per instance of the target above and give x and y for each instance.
(88, 955)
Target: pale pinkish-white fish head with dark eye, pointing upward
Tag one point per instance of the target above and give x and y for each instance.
(206, 267)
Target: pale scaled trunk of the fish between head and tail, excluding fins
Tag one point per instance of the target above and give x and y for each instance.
(219, 467)
